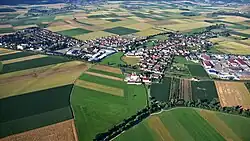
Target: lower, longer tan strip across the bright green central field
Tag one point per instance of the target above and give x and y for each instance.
(100, 88)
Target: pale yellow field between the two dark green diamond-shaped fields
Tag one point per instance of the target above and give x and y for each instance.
(93, 35)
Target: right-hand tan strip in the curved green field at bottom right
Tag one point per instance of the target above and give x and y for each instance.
(219, 125)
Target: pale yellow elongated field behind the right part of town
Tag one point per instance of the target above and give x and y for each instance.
(185, 27)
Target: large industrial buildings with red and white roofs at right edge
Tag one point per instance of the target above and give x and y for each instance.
(226, 66)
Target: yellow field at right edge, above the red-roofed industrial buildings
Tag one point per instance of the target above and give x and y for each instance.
(233, 47)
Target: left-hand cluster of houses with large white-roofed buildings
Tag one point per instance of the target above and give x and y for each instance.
(44, 41)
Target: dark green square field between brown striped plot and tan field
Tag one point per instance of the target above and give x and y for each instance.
(204, 90)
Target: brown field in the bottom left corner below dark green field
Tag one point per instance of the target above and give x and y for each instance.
(63, 131)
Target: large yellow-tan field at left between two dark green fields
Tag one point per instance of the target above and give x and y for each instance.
(38, 79)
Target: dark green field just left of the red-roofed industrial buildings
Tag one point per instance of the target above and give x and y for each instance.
(197, 70)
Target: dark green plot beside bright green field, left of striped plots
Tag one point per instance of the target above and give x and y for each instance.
(161, 92)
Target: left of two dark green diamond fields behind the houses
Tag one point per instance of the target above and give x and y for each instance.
(74, 32)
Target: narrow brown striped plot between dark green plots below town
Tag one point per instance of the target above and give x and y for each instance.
(185, 90)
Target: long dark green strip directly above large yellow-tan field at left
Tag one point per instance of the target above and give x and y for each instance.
(34, 63)
